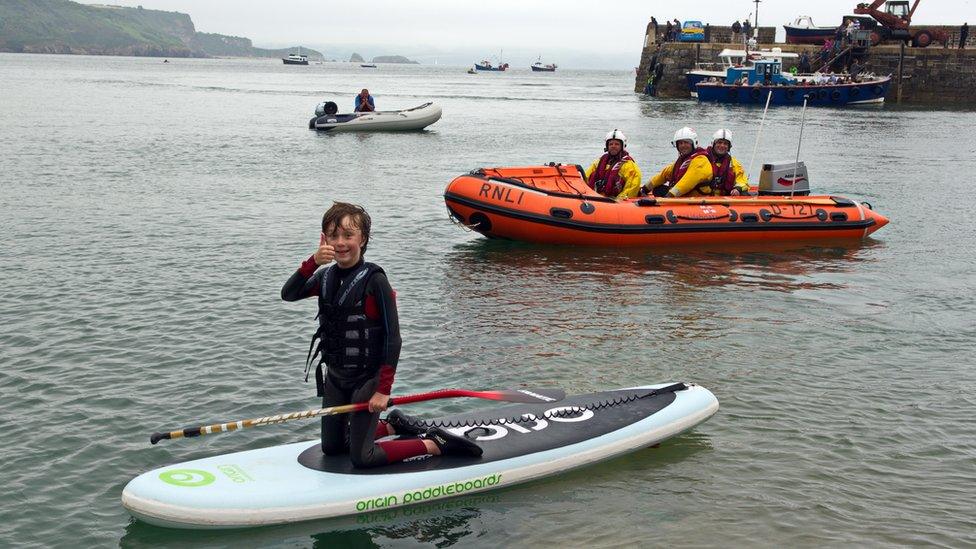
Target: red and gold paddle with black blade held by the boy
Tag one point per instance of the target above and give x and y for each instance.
(509, 395)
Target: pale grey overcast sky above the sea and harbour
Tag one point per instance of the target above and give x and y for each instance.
(607, 33)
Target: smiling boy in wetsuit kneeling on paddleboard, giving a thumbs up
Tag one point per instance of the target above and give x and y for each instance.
(359, 346)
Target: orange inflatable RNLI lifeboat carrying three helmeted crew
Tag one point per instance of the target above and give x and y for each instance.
(553, 205)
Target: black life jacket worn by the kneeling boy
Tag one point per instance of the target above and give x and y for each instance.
(349, 343)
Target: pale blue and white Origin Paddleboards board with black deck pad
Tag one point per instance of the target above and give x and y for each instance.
(522, 442)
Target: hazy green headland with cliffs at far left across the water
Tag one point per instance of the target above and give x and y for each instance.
(61, 26)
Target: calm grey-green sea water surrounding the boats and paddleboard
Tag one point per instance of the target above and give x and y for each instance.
(150, 212)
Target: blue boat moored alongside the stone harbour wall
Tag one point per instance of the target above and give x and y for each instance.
(753, 85)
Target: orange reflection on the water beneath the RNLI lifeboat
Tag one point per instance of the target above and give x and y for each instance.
(782, 267)
